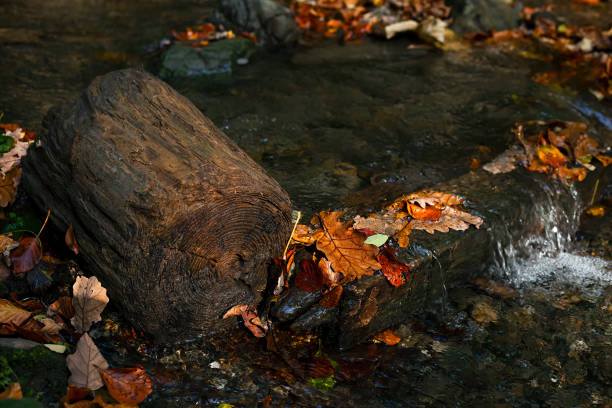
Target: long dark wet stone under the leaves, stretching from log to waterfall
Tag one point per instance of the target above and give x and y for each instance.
(514, 206)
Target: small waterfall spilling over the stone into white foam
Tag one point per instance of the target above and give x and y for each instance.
(539, 250)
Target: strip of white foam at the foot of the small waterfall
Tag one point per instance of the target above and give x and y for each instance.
(585, 271)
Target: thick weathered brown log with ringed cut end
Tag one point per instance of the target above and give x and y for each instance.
(177, 222)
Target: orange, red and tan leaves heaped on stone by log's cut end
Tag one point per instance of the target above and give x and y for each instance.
(340, 252)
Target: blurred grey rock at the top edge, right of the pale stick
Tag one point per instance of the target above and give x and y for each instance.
(483, 15)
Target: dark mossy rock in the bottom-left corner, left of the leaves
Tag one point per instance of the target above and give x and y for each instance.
(43, 374)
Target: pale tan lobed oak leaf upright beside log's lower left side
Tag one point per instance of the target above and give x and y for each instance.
(89, 300)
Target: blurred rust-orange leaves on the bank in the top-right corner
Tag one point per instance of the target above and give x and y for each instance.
(581, 53)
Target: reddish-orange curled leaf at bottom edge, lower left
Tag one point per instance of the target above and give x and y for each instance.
(127, 385)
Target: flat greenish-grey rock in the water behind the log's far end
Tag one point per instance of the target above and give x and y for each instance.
(219, 58)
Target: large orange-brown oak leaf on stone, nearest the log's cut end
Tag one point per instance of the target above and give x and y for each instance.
(345, 248)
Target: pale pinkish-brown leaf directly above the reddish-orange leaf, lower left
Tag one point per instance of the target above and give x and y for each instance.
(85, 365)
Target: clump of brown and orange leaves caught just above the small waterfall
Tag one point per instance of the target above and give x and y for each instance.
(560, 149)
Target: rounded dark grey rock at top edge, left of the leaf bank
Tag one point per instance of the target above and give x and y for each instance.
(272, 22)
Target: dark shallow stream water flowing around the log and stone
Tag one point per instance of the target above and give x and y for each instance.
(346, 127)
